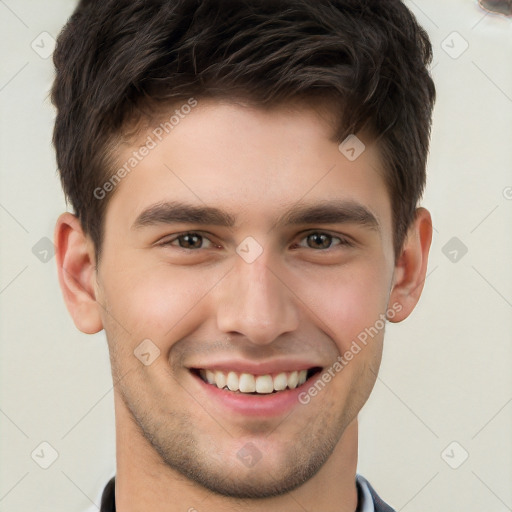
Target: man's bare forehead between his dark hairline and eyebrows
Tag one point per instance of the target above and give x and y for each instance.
(249, 162)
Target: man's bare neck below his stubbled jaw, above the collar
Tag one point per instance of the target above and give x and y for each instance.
(144, 482)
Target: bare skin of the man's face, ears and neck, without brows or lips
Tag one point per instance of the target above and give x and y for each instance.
(175, 449)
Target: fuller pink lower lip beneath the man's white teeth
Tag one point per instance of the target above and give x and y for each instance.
(272, 404)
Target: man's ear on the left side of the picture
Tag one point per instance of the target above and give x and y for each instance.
(77, 273)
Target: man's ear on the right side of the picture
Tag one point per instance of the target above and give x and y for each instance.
(411, 266)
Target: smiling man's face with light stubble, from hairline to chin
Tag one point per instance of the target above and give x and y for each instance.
(246, 247)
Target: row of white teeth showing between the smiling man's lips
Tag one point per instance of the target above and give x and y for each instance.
(247, 383)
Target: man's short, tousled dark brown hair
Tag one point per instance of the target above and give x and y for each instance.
(117, 61)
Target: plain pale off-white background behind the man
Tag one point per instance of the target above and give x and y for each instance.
(446, 373)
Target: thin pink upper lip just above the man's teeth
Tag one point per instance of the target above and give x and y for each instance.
(257, 367)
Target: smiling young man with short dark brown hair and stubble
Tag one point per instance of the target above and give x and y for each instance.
(245, 178)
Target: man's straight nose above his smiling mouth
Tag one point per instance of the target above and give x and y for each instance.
(254, 301)
